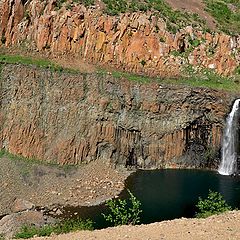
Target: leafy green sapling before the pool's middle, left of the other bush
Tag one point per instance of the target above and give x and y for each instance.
(123, 214)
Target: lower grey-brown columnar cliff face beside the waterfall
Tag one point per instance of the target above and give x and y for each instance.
(71, 119)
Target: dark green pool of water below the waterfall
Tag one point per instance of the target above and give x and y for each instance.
(169, 194)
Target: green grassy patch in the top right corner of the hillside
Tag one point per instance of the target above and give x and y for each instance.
(228, 20)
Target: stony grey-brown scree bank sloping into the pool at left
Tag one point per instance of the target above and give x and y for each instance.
(50, 187)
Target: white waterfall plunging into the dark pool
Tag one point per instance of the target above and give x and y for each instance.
(228, 164)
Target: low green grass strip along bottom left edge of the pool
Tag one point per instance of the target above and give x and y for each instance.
(65, 226)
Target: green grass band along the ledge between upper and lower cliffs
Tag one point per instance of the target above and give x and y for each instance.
(204, 78)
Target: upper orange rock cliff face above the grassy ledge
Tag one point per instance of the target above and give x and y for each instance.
(135, 42)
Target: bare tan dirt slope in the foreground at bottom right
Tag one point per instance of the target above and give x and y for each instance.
(221, 227)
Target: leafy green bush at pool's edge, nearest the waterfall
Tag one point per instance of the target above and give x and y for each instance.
(213, 204)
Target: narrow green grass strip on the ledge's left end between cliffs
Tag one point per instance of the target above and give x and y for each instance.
(42, 63)
